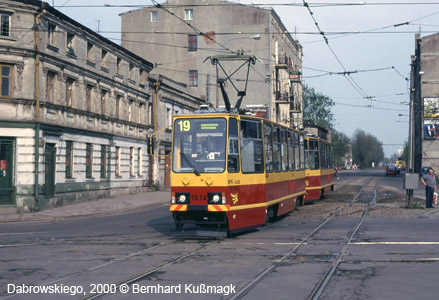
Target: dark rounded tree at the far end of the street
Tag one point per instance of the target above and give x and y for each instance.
(366, 149)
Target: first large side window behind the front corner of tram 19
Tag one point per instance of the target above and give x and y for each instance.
(251, 147)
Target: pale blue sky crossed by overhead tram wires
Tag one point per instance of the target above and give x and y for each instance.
(362, 39)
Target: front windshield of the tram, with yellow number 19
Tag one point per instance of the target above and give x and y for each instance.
(199, 145)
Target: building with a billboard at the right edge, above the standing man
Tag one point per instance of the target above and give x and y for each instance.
(424, 99)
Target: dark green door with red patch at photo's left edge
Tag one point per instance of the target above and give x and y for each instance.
(6, 172)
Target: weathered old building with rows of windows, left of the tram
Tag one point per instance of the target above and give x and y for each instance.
(75, 111)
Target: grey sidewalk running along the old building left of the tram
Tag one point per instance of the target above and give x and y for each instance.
(99, 207)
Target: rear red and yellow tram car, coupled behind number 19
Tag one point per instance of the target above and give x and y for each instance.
(320, 170)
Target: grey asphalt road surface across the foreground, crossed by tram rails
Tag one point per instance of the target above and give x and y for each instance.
(387, 258)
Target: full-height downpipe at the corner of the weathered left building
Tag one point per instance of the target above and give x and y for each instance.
(37, 103)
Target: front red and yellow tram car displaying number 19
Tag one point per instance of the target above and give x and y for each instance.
(234, 172)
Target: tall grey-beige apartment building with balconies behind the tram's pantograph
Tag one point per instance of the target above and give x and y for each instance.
(180, 52)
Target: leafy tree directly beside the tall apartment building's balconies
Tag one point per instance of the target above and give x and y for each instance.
(317, 107)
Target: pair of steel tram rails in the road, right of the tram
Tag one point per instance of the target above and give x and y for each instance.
(328, 274)
